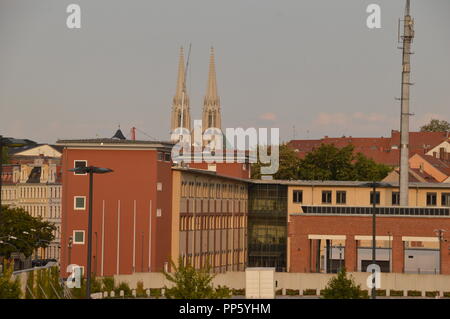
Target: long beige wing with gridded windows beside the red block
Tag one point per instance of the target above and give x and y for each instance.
(209, 219)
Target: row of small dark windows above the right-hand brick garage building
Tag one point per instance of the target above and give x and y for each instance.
(341, 198)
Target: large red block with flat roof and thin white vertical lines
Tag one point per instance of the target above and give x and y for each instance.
(132, 213)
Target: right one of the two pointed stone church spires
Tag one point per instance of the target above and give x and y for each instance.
(211, 104)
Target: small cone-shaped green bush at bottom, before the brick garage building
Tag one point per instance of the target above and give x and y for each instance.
(342, 287)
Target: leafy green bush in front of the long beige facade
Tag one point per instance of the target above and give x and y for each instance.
(191, 283)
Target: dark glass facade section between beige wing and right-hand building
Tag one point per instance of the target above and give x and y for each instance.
(267, 226)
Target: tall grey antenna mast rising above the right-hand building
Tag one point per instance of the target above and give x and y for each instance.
(407, 38)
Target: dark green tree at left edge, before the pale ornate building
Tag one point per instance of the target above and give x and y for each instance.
(23, 231)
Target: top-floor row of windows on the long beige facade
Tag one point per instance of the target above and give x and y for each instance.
(211, 190)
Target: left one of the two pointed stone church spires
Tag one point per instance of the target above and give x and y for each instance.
(180, 107)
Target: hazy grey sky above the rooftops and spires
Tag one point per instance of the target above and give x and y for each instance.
(311, 68)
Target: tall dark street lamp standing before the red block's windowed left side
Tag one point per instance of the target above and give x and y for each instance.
(91, 170)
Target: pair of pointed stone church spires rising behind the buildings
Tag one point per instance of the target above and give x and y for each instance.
(211, 104)
